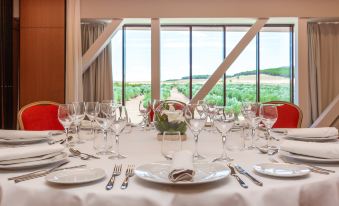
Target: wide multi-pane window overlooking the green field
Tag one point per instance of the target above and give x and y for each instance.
(190, 54)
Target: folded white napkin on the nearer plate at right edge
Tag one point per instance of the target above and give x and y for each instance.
(314, 149)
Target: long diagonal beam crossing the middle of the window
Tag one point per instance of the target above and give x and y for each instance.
(228, 61)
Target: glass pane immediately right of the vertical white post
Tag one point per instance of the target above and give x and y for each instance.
(175, 63)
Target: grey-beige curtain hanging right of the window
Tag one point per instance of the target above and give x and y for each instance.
(323, 65)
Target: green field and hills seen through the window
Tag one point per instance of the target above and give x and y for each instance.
(235, 92)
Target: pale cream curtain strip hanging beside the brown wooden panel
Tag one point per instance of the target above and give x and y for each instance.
(74, 86)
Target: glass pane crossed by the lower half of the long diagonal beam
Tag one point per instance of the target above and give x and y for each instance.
(207, 55)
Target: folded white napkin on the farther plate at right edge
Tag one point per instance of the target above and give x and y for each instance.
(313, 132)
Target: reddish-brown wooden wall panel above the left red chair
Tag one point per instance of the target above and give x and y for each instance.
(42, 51)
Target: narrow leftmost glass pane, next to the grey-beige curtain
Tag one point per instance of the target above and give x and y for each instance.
(116, 43)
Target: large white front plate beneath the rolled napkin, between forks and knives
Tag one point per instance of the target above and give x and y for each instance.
(204, 173)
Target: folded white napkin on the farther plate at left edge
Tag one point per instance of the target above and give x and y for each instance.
(18, 134)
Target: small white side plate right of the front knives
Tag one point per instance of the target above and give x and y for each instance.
(281, 169)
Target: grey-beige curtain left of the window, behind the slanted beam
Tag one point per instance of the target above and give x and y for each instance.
(97, 79)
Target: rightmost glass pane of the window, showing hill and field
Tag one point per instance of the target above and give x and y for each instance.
(274, 64)
